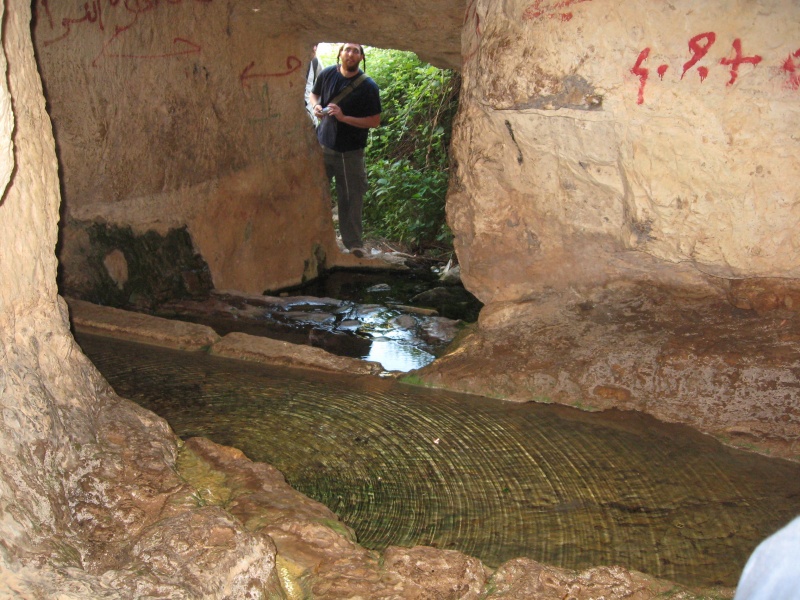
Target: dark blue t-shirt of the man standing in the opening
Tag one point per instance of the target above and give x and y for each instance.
(363, 101)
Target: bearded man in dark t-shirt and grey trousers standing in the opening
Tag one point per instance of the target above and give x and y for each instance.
(348, 104)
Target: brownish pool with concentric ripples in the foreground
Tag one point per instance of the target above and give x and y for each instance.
(495, 480)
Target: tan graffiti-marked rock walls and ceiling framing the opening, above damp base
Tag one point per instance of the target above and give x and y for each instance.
(595, 141)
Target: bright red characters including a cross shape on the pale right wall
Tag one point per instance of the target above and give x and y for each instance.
(699, 47)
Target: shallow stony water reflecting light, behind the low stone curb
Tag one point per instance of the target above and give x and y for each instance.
(401, 320)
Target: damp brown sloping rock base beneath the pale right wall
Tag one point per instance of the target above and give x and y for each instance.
(725, 370)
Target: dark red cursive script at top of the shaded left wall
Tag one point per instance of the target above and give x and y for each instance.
(118, 17)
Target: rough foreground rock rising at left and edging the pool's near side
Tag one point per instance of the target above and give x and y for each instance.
(99, 499)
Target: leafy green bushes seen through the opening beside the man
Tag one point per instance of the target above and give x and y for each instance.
(408, 156)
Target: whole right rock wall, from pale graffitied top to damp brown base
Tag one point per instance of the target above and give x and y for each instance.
(623, 202)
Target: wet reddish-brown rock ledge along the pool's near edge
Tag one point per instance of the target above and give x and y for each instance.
(318, 557)
